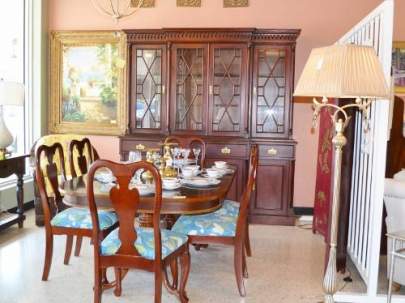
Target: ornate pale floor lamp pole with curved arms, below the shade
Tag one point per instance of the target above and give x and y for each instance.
(340, 120)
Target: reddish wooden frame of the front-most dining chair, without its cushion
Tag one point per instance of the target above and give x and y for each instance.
(126, 203)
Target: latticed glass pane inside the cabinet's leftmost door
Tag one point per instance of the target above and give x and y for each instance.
(148, 88)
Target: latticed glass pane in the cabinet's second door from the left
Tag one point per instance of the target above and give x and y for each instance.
(189, 89)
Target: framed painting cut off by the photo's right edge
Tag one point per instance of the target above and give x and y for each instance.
(398, 66)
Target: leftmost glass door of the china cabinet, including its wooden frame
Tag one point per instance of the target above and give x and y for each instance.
(148, 88)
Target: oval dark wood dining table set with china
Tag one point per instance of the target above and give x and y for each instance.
(185, 200)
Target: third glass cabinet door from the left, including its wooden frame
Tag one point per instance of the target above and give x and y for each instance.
(228, 75)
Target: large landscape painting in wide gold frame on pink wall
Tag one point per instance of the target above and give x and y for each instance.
(88, 82)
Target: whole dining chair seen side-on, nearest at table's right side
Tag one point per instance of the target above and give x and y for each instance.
(222, 228)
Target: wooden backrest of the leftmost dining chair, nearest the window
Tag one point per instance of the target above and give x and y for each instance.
(47, 161)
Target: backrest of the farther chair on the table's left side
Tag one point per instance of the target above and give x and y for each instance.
(81, 155)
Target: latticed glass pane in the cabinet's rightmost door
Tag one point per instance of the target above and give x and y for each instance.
(271, 91)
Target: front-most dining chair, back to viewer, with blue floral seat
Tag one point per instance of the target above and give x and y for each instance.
(151, 249)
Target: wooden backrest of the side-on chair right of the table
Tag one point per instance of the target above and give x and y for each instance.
(250, 186)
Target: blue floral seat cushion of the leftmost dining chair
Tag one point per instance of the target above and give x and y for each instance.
(80, 218)
